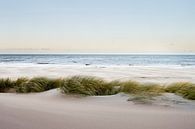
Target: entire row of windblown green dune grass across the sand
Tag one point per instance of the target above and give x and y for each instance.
(86, 85)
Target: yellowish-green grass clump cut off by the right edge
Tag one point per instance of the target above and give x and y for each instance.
(185, 89)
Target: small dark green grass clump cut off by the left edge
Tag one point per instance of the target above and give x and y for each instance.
(6, 84)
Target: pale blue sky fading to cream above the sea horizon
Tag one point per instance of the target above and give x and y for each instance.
(98, 26)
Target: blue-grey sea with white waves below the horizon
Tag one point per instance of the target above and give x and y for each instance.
(100, 59)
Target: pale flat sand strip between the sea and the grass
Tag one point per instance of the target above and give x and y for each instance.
(137, 73)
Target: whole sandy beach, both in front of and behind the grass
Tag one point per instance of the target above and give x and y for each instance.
(52, 109)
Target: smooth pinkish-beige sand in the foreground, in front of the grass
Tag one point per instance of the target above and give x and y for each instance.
(52, 110)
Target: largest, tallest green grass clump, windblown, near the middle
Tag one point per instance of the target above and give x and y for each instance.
(86, 86)
